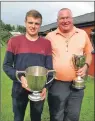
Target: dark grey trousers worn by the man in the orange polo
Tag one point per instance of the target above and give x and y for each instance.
(64, 101)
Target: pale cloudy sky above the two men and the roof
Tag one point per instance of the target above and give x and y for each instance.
(14, 12)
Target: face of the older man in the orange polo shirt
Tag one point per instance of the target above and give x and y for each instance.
(65, 21)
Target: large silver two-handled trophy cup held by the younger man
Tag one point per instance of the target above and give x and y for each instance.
(36, 79)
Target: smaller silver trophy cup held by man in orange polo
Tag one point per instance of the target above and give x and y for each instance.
(78, 62)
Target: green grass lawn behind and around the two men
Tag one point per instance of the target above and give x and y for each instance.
(87, 111)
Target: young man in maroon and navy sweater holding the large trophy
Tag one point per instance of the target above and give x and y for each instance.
(24, 51)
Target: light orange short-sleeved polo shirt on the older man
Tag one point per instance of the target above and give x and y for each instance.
(78, 43)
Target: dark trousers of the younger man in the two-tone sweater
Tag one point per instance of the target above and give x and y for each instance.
(19, 107)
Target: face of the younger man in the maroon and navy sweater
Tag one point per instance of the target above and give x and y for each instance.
(32, 25)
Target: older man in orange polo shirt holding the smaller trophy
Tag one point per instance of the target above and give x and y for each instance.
(64, 101)
